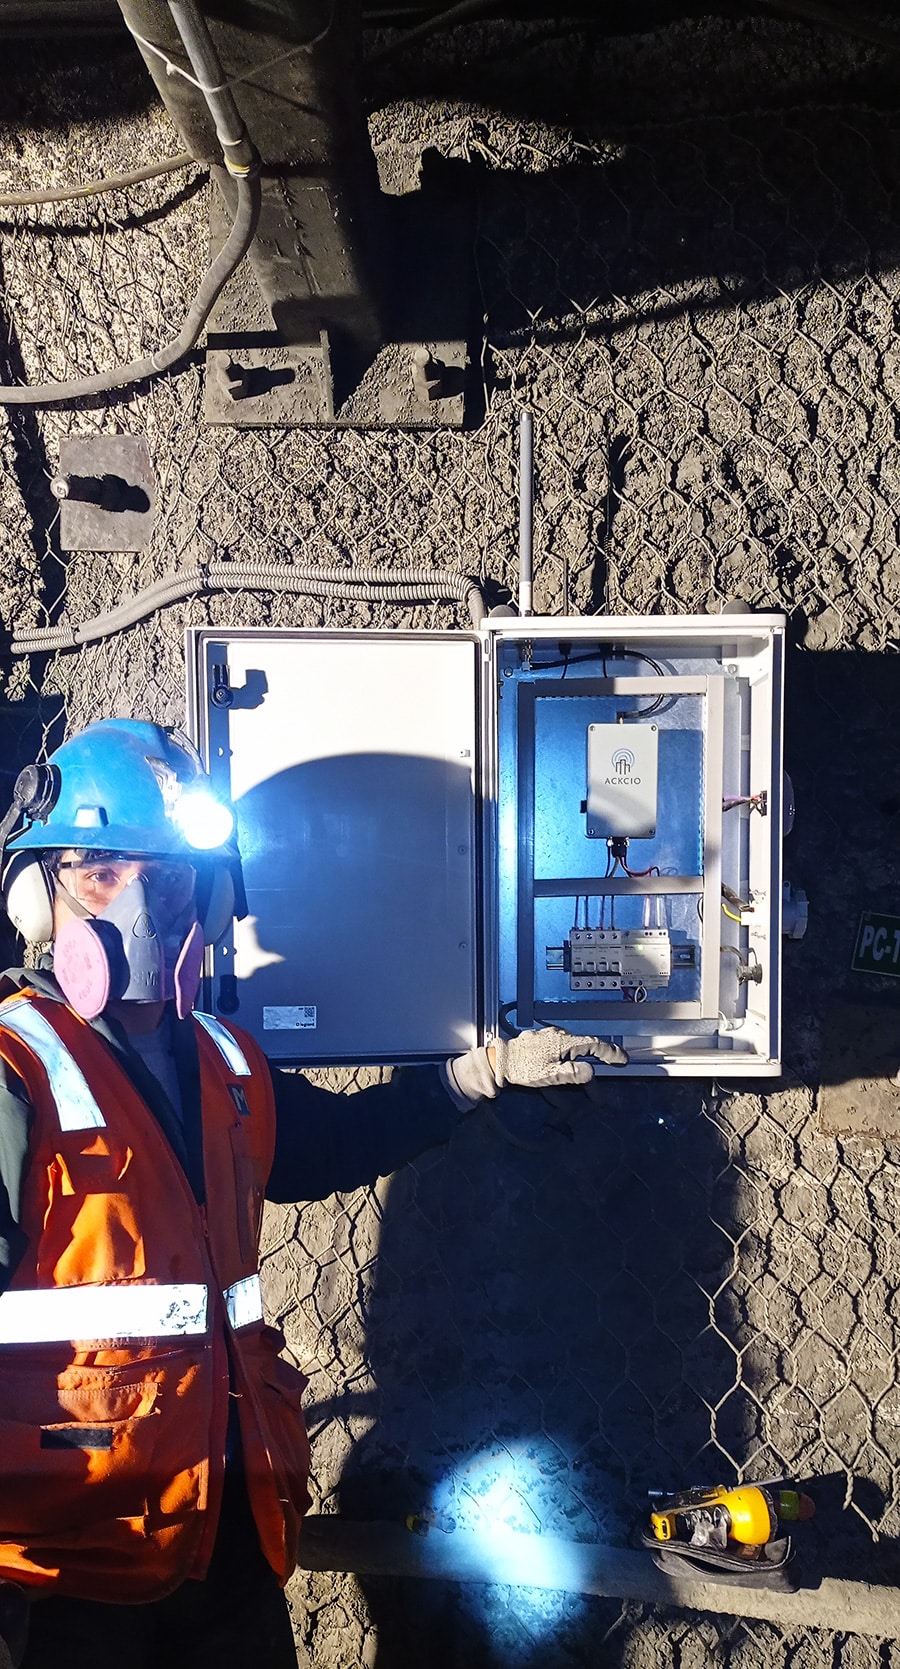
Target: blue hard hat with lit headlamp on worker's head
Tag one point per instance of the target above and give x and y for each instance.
(124, 785)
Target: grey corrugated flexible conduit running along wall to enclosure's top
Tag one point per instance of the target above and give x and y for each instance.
(367, 585)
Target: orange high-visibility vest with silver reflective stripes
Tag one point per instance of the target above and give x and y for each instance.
(123, 1318)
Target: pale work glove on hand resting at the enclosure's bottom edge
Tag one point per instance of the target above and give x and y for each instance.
(537, 1061)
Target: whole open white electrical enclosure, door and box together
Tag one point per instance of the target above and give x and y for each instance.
(443, 835)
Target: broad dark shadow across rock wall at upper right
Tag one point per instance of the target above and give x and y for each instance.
(692, 218)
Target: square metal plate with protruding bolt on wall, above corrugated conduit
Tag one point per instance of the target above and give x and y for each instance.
(108, 493)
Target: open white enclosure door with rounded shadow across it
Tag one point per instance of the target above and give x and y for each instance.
(351, 762)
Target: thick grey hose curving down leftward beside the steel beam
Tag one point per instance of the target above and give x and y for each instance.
(216, 276)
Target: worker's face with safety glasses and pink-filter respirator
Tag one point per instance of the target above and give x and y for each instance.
(143, 945)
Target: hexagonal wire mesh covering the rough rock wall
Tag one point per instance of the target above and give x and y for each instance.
(685, 1286)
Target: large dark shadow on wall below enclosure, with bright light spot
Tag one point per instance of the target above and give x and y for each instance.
(542, 1344)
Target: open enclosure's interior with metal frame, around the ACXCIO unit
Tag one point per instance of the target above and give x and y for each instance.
(717, 712)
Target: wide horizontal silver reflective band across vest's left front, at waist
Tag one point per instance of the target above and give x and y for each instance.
(58, 1314)
